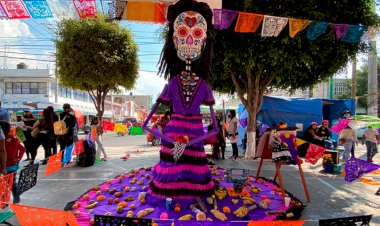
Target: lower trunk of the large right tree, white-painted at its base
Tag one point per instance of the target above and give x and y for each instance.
(251, 135)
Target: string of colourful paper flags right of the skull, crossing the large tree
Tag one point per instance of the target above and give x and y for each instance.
(273, 25)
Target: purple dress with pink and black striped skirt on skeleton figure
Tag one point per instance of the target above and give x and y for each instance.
(189, 175)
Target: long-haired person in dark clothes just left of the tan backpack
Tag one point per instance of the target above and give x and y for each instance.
(45, 126)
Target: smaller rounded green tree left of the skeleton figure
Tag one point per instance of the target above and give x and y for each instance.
(97, 57)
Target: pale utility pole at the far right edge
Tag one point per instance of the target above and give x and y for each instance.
(372, 98)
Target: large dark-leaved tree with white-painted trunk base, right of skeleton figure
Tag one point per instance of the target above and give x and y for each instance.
(248, 64)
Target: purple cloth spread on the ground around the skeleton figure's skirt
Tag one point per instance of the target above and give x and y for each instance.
(160, 207)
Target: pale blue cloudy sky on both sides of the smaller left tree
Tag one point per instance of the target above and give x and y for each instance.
(30, 41)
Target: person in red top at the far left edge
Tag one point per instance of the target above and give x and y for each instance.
(15, 151)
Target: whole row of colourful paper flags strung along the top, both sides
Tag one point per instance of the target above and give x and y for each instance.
(154, 12)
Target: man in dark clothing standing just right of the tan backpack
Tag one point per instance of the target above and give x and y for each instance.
(68, 117)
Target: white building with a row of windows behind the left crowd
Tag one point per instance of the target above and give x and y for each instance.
(30, 89)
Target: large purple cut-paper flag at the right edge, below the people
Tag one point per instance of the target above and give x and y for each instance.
(355, 168)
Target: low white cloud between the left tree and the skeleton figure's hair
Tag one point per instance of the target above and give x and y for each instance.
(148, 83)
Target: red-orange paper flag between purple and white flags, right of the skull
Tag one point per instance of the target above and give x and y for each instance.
(248, 22)
